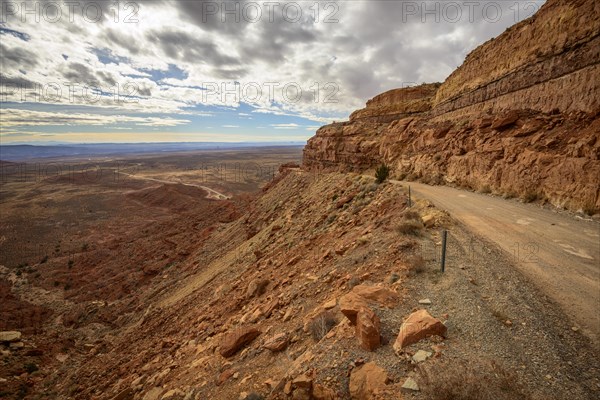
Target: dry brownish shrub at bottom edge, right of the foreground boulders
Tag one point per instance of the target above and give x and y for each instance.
(469, 380)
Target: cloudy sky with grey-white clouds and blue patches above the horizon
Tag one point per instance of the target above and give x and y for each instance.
(230, 71)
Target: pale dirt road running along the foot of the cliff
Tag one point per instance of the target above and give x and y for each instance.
(557, 251)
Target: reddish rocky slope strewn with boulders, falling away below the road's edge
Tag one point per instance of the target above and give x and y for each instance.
(326, 288)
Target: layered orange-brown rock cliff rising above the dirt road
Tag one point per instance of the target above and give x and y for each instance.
(520, 117)
